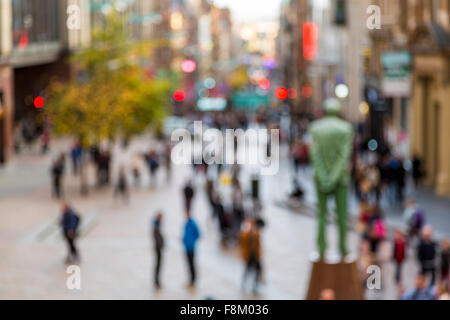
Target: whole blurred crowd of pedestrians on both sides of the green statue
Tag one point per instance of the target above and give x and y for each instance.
(380, 181)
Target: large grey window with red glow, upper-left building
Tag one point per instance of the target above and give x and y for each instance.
(35, 21)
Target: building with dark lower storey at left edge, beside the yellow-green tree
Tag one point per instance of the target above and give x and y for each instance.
(35, 42)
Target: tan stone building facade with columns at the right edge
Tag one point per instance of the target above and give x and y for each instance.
(421, 29)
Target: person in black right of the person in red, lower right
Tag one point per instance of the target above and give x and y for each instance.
(426, 253)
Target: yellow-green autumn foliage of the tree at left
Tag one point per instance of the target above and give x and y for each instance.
(115, 96)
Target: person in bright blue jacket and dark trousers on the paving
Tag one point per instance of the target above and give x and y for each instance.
(190, 238)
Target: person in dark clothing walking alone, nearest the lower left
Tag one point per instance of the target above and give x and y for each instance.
(70, 222)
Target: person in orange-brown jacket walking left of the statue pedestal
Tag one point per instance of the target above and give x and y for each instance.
(250, 245)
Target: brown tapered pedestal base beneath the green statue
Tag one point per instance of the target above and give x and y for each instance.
(342, 277)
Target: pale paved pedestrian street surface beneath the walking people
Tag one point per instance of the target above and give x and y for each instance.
(116, 251)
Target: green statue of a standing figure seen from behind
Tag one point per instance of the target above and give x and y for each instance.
(332, 141)
